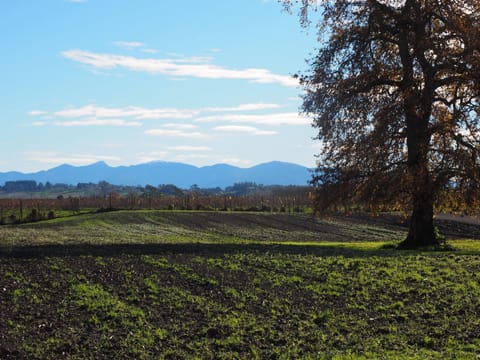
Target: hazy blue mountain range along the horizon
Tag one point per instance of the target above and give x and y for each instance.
(159, 172)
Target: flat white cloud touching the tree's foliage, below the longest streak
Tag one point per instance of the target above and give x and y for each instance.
(265, 119)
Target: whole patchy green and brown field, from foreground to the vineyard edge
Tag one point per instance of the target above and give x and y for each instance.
(174, 285)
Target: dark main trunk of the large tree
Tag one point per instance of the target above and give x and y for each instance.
(417, 104)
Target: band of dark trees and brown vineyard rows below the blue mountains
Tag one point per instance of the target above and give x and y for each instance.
(26, 201)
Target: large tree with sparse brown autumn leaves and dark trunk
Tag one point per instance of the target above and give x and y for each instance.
(394, 91)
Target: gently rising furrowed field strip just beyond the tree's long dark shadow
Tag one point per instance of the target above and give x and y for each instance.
(167, 227)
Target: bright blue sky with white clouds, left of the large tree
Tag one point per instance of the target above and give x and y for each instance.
(134, 81)
